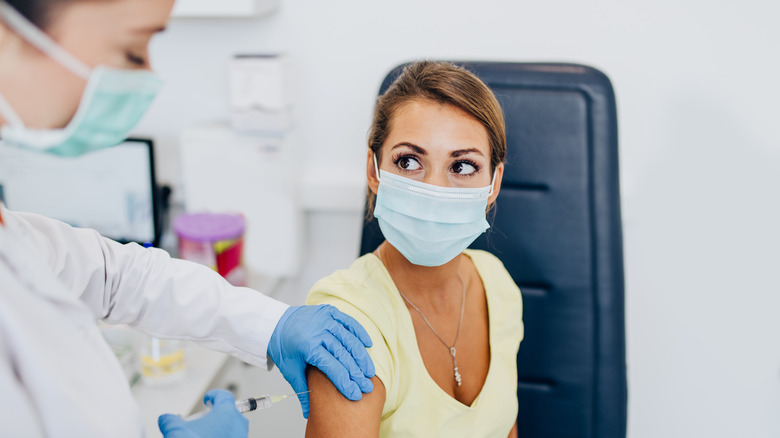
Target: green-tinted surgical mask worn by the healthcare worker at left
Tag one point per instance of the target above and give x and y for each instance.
(113, 101)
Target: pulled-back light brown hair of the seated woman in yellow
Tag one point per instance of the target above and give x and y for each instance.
(445, 83)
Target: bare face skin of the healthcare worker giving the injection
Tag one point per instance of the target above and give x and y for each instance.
(113, 33)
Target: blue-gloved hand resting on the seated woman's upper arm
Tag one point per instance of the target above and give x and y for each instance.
(328, 339)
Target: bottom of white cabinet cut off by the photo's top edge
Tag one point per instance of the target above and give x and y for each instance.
(223, 8)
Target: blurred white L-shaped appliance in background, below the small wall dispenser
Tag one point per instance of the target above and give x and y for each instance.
(253, 175)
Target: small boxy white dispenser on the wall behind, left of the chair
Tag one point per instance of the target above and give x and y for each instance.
(260, 94)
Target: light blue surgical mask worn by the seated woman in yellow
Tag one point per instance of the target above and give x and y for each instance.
(428, 224)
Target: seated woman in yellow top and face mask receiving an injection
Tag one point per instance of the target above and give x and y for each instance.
(445, 321)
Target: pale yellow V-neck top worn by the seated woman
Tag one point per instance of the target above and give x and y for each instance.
(415, 405)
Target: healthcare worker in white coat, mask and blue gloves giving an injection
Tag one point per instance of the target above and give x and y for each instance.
(75, 77)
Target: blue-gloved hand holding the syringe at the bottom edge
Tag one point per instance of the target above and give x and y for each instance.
(224, 420)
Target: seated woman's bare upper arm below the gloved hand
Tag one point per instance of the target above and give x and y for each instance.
(332, 415)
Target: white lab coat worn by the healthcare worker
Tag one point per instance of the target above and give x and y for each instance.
(58, 377)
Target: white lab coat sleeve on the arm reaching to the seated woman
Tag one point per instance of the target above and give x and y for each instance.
(159, 295)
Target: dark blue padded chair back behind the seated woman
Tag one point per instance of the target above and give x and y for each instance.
(557, 228)
